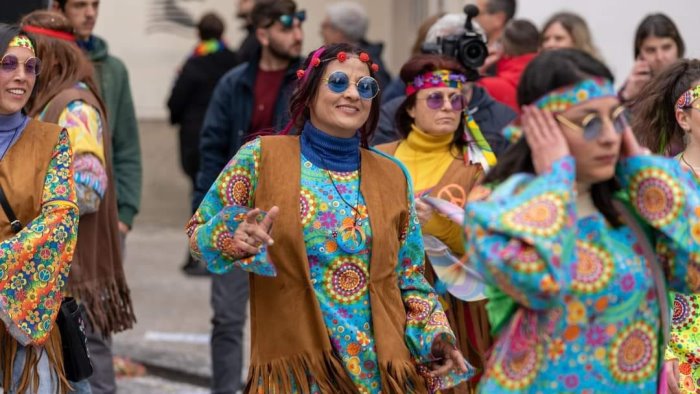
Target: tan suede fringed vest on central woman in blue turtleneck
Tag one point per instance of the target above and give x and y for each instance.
(288, 334)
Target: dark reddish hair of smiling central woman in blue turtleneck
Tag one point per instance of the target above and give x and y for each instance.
(307, 89)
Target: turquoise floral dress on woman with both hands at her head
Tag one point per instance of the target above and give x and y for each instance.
(587, 316)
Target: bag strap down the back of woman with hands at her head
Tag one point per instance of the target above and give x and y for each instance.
(654, 266)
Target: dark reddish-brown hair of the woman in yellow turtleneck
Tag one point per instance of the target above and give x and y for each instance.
(418, 65)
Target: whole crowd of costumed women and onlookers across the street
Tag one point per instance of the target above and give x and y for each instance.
(502, 222)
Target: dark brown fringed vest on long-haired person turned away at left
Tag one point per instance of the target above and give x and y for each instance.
(97, 275)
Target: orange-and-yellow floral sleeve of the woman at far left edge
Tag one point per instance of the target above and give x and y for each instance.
(34, 264)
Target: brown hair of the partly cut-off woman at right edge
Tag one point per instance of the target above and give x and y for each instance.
(654, 119)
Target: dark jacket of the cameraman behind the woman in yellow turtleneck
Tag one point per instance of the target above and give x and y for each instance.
(491, 116)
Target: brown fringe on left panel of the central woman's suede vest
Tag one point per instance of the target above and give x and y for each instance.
(282, 375)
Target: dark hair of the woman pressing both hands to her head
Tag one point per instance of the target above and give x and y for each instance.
(549, 71)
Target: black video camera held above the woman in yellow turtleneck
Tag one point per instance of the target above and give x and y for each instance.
(468, 48)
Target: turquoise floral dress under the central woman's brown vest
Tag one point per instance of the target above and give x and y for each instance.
(339, 278)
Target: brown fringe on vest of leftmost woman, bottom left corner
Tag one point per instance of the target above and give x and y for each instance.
(29, 379)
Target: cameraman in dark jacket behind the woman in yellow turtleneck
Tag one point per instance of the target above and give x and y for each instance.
(462, 41)
